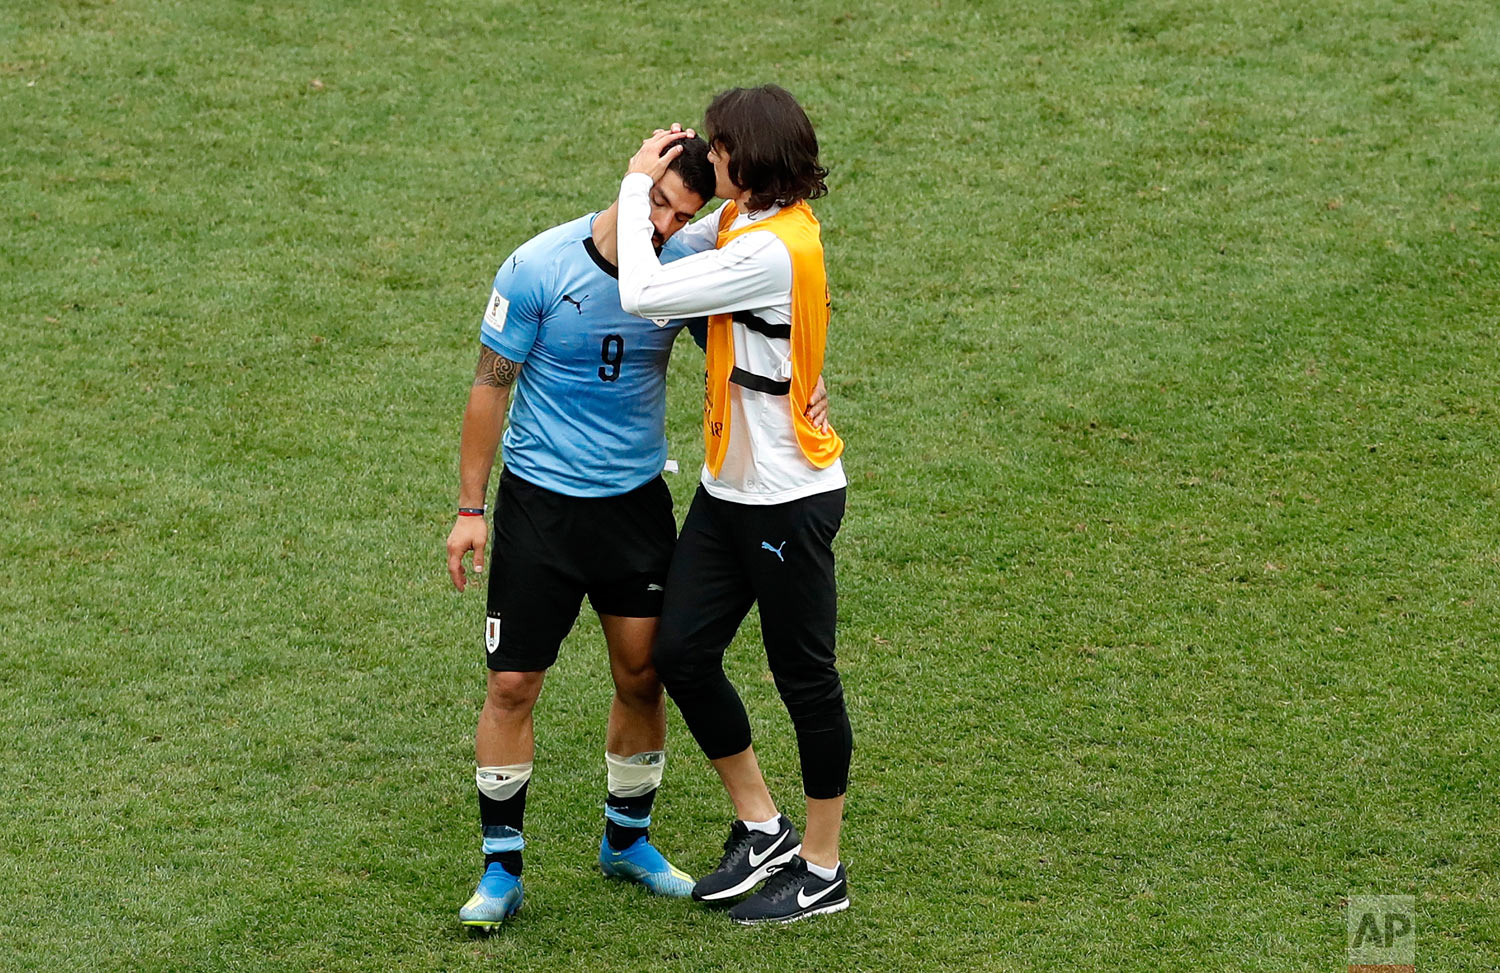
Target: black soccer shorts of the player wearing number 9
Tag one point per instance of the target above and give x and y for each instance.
(553, 549)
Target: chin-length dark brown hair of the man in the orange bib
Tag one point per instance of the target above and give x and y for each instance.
(773, 151)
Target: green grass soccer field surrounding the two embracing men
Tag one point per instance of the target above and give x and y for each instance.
(1165, 346)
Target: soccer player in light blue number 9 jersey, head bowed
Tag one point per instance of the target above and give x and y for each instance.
(581, 510)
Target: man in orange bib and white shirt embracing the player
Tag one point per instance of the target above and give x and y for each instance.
(772, 494)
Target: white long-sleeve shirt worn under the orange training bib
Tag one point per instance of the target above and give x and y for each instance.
(764, 464)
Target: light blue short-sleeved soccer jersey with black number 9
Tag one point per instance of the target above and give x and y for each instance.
(589, 410)
